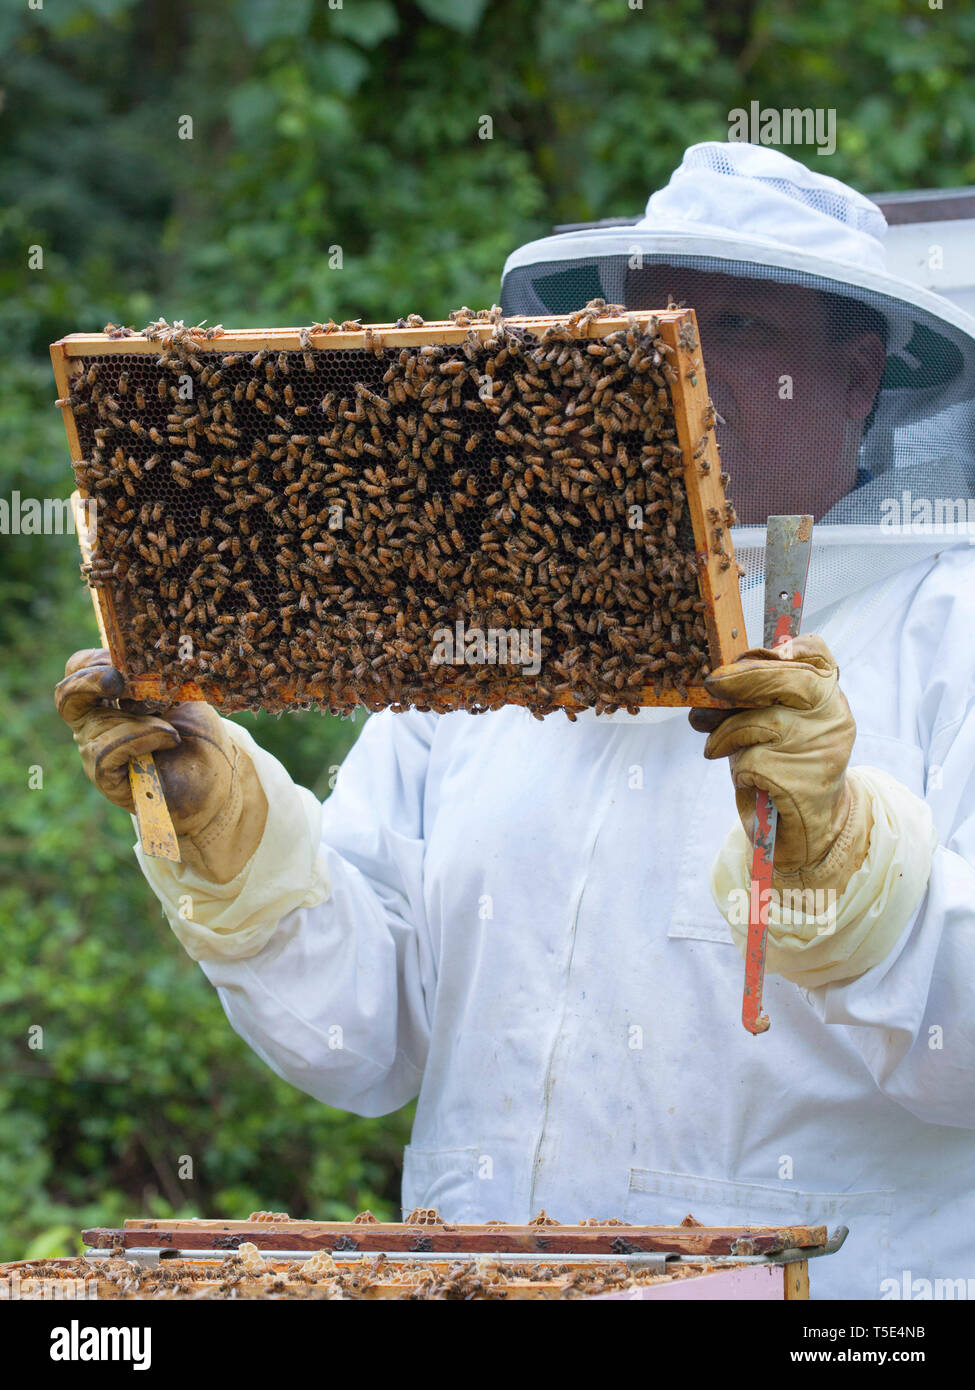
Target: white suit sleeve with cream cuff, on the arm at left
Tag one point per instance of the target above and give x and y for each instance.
(335, 982)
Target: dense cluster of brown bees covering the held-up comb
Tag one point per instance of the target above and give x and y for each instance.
(303, 528)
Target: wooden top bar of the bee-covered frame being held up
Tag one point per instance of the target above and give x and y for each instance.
(286, 340)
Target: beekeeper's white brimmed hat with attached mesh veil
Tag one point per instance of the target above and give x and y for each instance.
(841, 390)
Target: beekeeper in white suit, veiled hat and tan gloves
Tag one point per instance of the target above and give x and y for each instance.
(536, 928)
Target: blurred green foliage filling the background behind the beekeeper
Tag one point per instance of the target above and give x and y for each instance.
(337, 169)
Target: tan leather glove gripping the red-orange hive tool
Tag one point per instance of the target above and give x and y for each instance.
(795, 744)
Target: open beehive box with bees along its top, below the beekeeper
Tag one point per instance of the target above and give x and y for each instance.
(429, 1259)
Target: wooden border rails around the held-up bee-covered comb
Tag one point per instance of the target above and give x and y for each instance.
(716, 559)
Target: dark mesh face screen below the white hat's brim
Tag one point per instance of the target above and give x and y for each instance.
(837, 401)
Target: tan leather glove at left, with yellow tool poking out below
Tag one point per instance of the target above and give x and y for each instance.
(218, 804)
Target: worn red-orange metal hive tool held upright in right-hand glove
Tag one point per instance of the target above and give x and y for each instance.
(788, 548)
